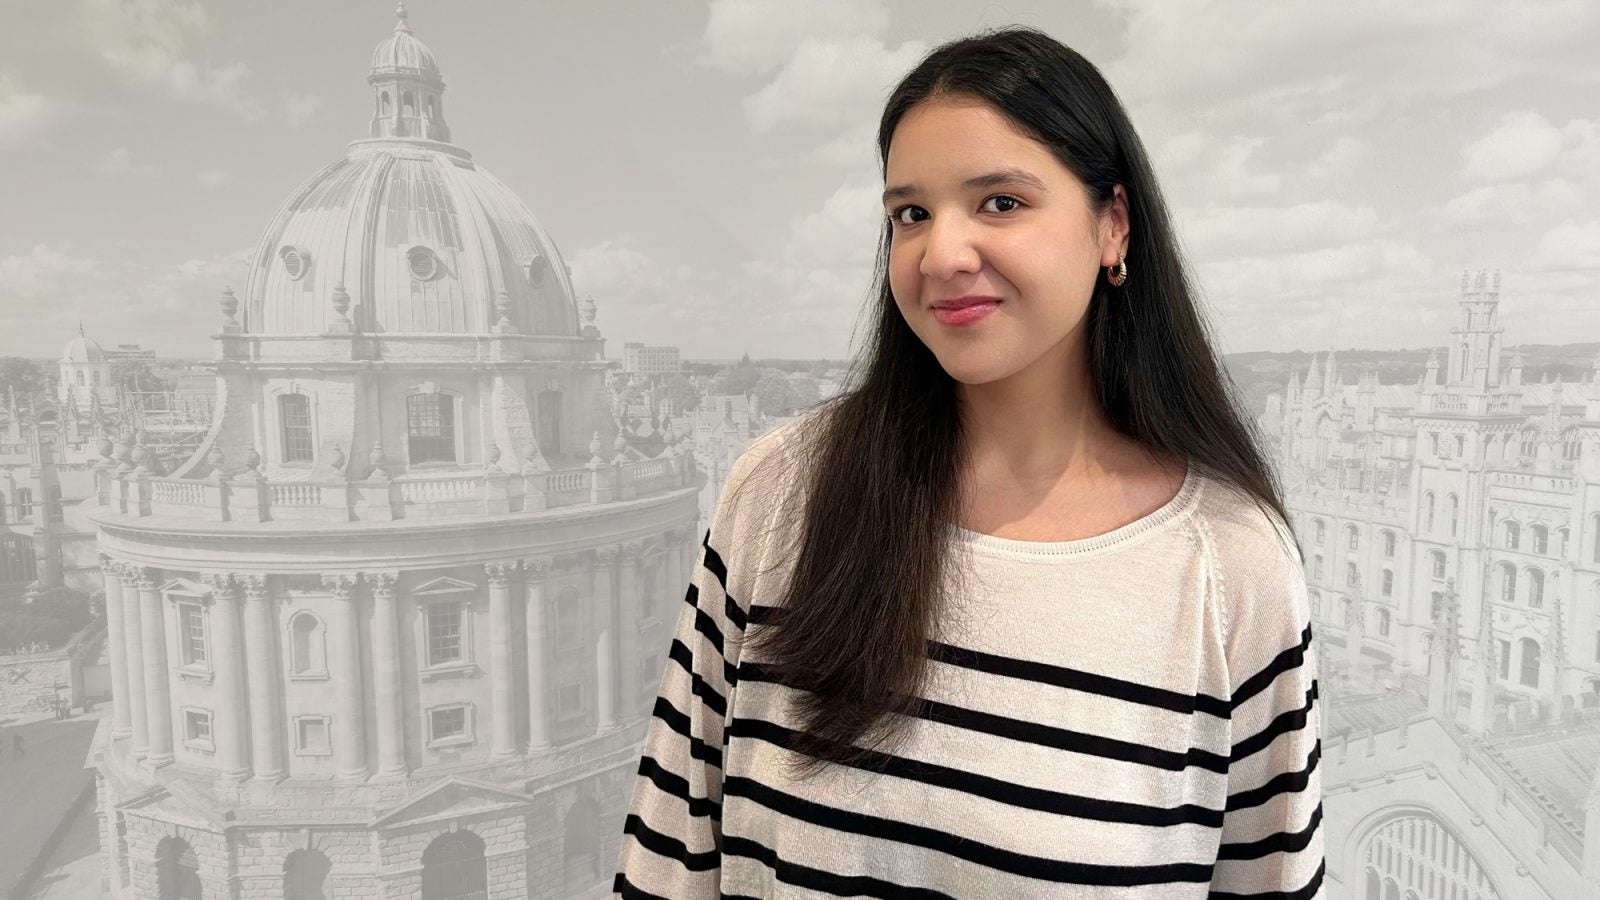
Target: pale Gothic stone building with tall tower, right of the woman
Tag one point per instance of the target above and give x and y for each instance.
(1452, 547)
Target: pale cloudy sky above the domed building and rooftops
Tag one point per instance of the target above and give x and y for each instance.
(708, 169)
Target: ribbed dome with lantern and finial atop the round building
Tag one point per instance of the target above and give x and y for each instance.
(407, 235)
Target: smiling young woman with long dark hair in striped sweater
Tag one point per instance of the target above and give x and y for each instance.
(1018, 614)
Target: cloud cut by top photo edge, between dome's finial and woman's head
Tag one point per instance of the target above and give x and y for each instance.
(754, 38)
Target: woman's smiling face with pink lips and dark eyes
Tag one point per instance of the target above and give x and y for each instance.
(978, 209)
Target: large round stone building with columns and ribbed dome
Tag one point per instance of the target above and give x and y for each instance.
(396, 629)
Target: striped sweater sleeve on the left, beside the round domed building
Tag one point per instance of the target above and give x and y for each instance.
(673, 834)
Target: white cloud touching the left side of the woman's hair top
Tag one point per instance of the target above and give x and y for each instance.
(831, 82)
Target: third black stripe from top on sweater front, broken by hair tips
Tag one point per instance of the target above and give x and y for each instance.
(1025, 797)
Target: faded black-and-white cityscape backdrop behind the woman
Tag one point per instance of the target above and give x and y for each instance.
(369, 377)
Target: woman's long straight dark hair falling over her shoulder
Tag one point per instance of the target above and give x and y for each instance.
(879, 465)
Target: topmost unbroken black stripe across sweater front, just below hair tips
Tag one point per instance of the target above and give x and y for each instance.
(961, 848)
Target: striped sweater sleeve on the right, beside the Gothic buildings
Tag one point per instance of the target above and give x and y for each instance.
(1273, 838)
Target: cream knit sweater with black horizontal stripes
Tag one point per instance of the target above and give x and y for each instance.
(1124, 717)
